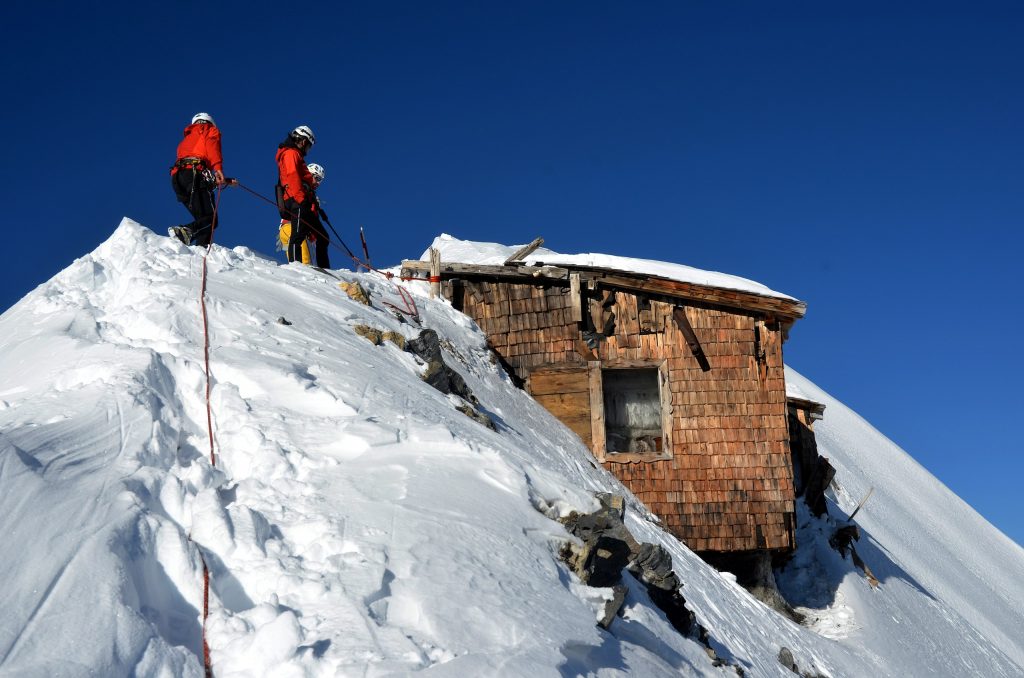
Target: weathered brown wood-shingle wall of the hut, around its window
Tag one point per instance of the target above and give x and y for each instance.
(729, 485)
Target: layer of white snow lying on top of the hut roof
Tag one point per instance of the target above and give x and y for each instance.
(464, 251)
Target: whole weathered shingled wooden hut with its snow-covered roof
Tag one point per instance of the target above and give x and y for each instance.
(673, 378)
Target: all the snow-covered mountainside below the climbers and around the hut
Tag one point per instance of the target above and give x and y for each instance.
(357, 524)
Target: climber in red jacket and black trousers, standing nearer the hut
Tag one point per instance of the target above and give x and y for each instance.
(297, 197)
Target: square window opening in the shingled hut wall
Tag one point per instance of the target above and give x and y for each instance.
(633, 411)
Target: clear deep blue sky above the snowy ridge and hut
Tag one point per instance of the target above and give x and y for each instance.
(863, 157)
